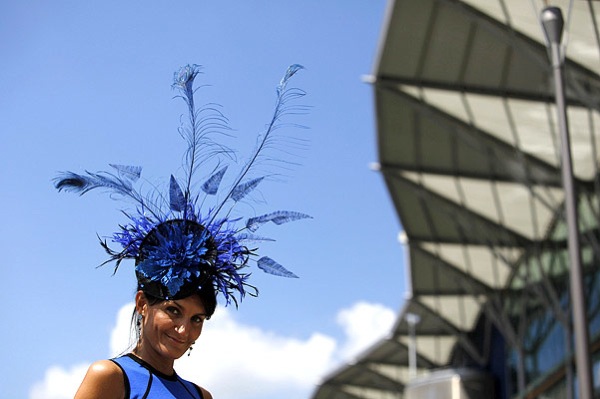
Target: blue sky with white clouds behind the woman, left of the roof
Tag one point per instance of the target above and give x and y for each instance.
(85, 84)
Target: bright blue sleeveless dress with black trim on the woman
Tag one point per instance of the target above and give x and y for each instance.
(144, 381)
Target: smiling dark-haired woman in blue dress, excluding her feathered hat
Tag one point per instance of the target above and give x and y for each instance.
(168, 329)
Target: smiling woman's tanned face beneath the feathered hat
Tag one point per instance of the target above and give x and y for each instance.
(169, 328)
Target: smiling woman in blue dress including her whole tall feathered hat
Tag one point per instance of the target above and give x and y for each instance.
(186, 250)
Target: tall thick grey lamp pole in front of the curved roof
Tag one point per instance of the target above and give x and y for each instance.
(553, 24)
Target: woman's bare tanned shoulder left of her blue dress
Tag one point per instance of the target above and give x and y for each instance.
(104, 379)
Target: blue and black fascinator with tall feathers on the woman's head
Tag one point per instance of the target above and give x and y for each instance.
(178, 246)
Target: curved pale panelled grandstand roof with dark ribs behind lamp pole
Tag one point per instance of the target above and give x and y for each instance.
(470, 152)
